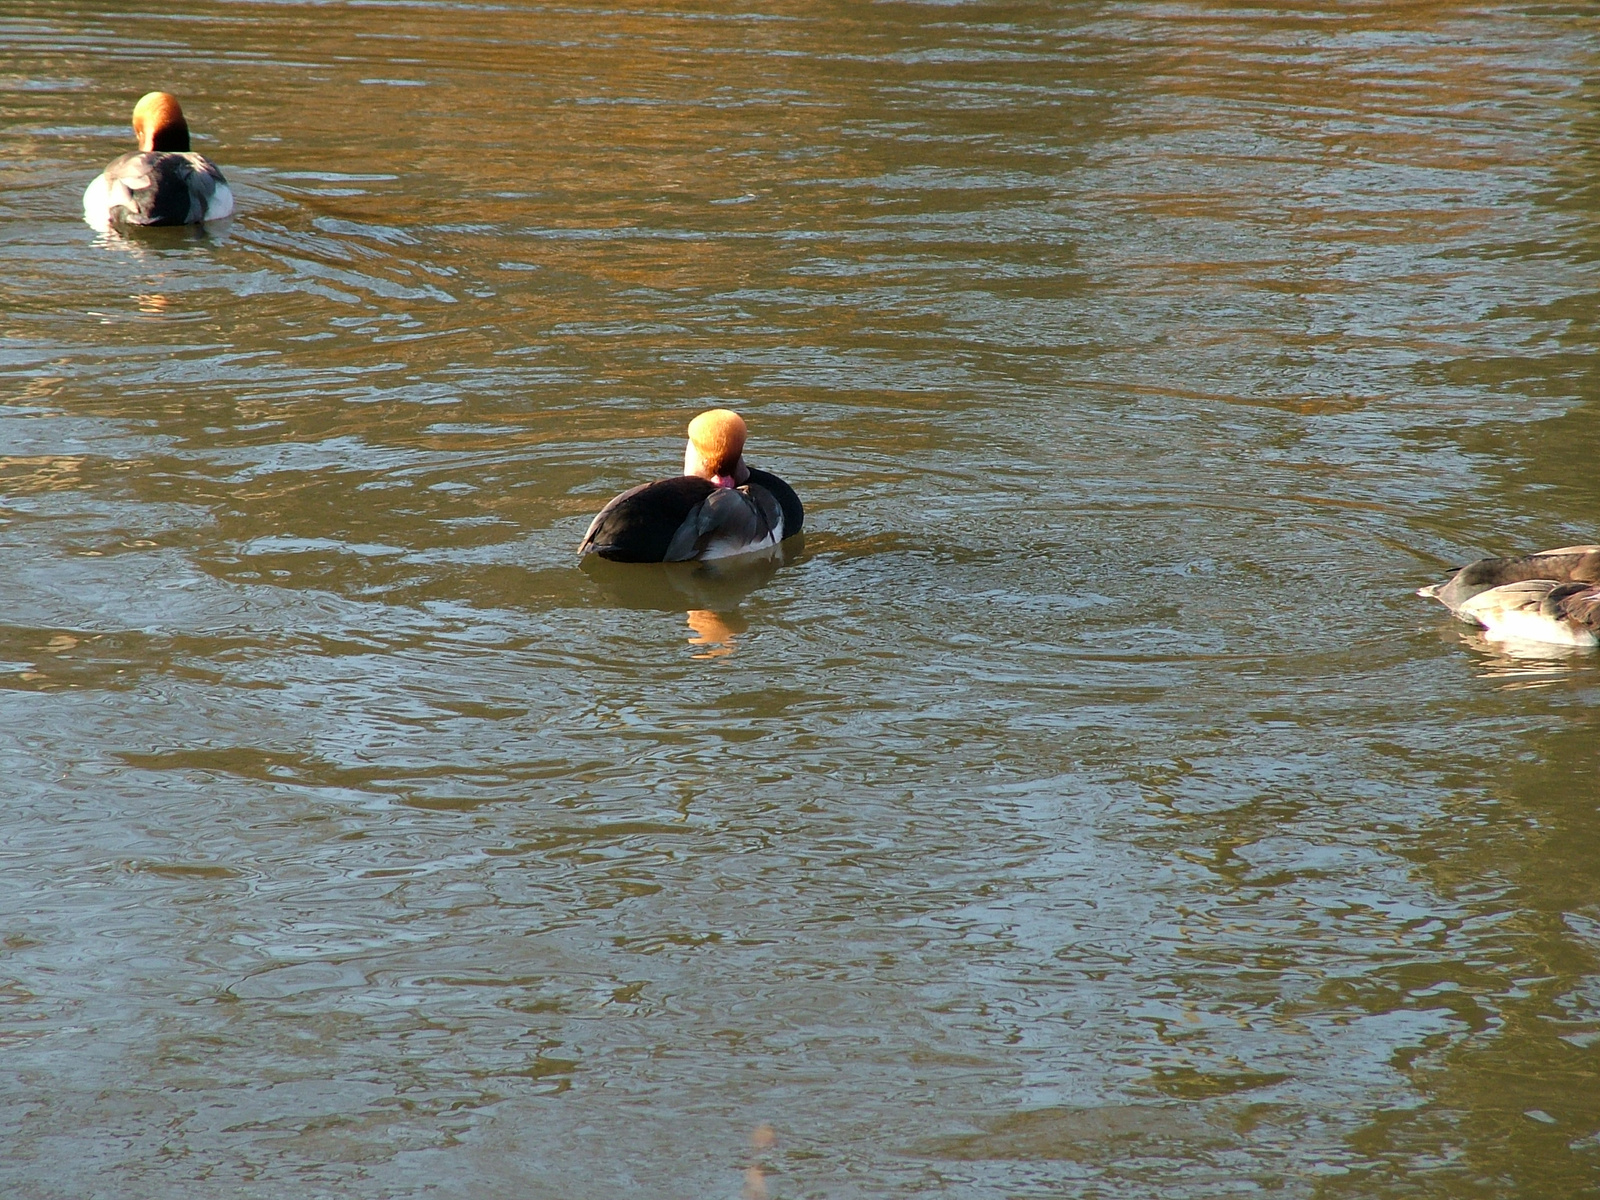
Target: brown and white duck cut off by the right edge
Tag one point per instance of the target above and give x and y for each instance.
(1553, 596)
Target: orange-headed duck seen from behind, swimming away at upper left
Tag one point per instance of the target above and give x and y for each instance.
(162, 183)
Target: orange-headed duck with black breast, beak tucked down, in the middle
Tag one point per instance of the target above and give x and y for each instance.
(719, 506)
